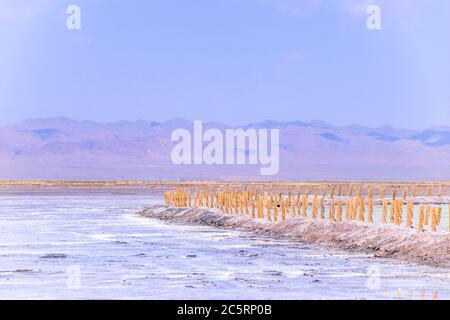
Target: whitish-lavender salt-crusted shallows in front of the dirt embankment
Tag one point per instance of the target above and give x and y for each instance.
(94, 246)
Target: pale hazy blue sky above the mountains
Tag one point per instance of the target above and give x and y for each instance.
(235, 61)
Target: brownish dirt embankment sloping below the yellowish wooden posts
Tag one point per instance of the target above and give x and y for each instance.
(382, 240)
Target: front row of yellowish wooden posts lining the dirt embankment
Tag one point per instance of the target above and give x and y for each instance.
(274, 207)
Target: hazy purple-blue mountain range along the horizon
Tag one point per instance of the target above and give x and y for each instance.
(61, 148)
